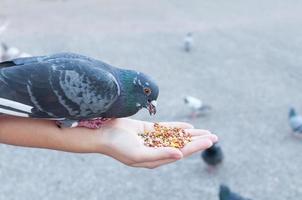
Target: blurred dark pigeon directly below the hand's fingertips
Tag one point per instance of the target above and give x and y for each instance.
(213, 156)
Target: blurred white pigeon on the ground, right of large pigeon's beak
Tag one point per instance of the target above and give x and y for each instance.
(196, 105)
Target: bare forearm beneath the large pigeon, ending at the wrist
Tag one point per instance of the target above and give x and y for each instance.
(45, 134)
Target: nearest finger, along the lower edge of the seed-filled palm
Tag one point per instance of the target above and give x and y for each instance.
(149, 154)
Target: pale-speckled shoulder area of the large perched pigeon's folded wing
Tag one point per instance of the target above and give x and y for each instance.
(93, 91)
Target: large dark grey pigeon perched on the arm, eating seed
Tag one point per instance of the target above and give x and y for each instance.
(73, 89)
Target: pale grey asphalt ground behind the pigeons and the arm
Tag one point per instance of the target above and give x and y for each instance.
(246, 63)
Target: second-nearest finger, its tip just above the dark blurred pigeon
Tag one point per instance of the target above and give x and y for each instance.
(196, 145)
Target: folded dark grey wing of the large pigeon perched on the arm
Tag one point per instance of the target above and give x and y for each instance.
(69, 88)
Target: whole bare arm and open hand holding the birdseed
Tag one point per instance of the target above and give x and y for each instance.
(117, 138)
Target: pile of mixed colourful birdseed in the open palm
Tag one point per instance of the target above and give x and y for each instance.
(163, 136)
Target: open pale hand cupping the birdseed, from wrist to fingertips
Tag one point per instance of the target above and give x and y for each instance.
(120, 140)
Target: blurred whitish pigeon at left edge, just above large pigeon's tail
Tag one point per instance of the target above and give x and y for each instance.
(9, 53)
